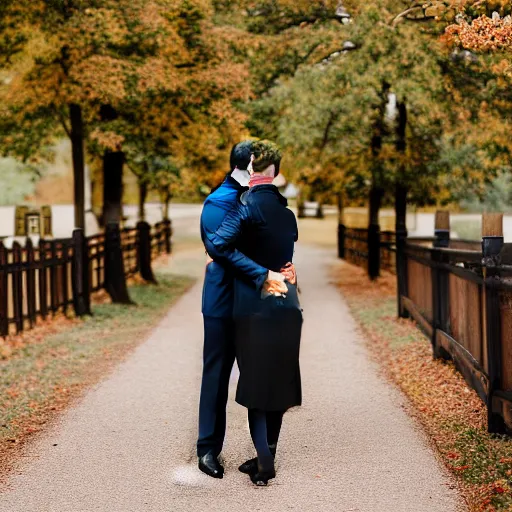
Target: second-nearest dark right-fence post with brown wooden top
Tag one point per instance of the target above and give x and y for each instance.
(440, 280)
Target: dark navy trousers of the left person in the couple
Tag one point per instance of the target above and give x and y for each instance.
(218, 360)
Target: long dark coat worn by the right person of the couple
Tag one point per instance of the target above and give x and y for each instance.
(268, 330)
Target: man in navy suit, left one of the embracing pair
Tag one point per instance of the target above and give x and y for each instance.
(217, 308)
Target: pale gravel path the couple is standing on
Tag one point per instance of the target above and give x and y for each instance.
(128, 446)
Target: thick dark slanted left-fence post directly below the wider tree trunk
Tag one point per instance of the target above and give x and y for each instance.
(115, 278)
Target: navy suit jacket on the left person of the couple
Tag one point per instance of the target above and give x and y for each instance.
(218, 290)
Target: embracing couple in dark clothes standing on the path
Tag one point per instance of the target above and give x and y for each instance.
(250, 308)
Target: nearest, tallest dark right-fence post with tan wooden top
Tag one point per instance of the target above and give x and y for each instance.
(492, 243)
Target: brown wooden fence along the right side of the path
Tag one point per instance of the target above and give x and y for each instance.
(460, 294)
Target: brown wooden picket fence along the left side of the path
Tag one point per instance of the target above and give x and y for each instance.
(59, 275)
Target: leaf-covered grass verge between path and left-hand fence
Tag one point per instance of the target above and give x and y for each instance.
(48, 367)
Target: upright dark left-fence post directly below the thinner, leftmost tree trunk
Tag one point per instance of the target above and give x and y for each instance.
(80, 274)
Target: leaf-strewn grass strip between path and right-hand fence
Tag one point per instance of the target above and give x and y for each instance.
(451, 412)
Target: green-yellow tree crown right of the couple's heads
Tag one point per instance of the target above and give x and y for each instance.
(377, 109)
